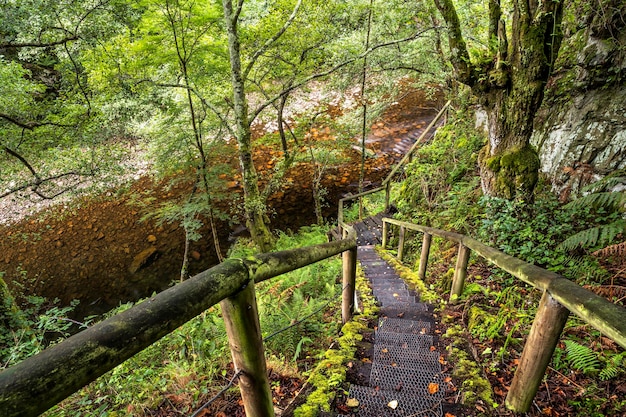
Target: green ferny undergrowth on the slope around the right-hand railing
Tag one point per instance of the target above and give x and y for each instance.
(441, 190)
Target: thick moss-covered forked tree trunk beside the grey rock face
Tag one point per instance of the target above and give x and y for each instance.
(509, 84)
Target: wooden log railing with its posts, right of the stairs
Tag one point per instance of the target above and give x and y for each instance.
(560, 297)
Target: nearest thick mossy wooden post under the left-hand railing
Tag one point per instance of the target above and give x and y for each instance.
(246, 346)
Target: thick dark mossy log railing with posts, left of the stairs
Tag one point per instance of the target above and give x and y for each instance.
(41, 381)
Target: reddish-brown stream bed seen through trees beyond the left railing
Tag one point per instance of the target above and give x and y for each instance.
(85, 250)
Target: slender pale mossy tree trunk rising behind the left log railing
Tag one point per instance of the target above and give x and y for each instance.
(254, 206)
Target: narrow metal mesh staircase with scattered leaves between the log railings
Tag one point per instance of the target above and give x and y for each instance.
(406, 377)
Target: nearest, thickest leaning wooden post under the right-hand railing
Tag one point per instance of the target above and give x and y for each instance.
(542, 339)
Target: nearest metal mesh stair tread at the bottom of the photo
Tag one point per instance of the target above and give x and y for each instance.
(375, 403)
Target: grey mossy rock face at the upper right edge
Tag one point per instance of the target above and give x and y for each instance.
(580, 131)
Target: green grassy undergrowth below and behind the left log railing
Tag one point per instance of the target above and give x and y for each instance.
(185, 368)
